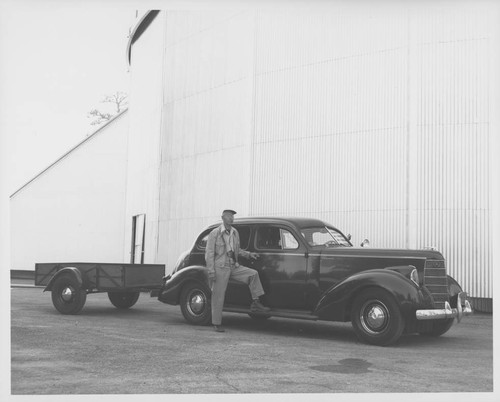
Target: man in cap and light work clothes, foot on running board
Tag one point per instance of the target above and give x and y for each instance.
(221, 255)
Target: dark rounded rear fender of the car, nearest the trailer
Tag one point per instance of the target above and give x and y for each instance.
(170, 292)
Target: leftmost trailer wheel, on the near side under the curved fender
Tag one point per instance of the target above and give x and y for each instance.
(67, 295)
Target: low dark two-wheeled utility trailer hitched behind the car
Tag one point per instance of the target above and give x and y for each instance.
(71, 282)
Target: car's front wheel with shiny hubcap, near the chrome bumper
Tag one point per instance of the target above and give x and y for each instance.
(376, 317)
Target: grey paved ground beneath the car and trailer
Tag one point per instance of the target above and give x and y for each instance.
(151, 349)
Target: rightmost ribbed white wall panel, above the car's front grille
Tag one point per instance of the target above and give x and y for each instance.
(452, 132)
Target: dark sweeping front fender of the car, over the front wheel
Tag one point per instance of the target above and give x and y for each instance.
(336, 303)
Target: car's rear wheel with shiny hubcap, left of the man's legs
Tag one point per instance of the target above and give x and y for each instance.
(195, 304)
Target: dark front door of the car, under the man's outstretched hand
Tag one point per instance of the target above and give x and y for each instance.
(282, 266)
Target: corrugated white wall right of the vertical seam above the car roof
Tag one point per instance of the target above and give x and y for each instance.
(378, 123)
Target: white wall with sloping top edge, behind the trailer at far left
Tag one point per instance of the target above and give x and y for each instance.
(73, 211)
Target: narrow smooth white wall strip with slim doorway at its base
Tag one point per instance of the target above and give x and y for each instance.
(143, 180)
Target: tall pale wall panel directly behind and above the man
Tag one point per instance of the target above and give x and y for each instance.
(206, 124)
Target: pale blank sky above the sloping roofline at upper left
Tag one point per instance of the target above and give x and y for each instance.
(57, 61)
